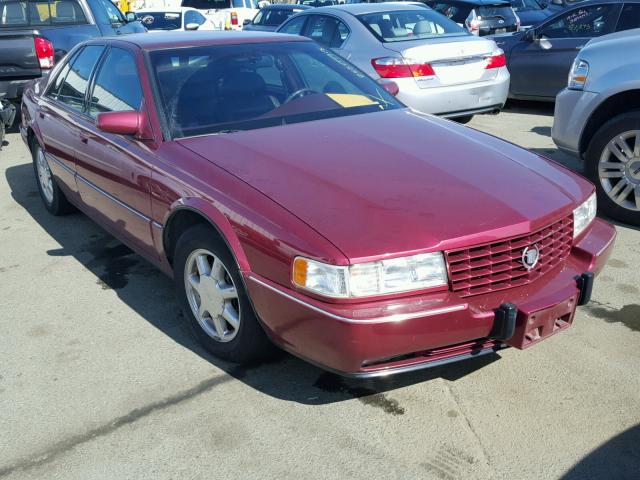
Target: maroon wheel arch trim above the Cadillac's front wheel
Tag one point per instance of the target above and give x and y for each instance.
(216, 218)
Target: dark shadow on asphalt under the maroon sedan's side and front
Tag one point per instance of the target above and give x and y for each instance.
(150, 294)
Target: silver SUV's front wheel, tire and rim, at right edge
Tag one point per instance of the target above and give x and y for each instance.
(613, 164)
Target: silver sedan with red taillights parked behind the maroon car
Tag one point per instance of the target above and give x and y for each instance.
(428, 61)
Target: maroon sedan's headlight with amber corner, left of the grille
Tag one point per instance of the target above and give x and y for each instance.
(373, 278)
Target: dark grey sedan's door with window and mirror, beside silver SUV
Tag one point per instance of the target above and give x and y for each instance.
(539, 66)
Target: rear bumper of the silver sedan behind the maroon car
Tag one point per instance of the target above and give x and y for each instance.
(456, 100)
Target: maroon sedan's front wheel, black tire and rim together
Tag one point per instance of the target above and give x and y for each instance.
(213, 298)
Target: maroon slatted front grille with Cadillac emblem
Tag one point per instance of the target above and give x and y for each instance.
(497, 266)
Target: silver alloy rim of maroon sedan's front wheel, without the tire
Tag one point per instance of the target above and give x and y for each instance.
(212, 295)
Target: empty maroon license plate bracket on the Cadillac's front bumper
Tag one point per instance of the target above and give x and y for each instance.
(534, 325)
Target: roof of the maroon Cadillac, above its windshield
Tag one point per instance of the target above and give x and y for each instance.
(168, 40)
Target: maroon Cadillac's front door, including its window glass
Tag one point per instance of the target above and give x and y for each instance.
(113, 177)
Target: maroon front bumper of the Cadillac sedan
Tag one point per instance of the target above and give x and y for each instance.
(383, 337)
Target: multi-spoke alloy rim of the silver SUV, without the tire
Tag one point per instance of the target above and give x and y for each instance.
(619, 169)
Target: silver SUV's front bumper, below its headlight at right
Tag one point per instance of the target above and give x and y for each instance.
(572, 111)
